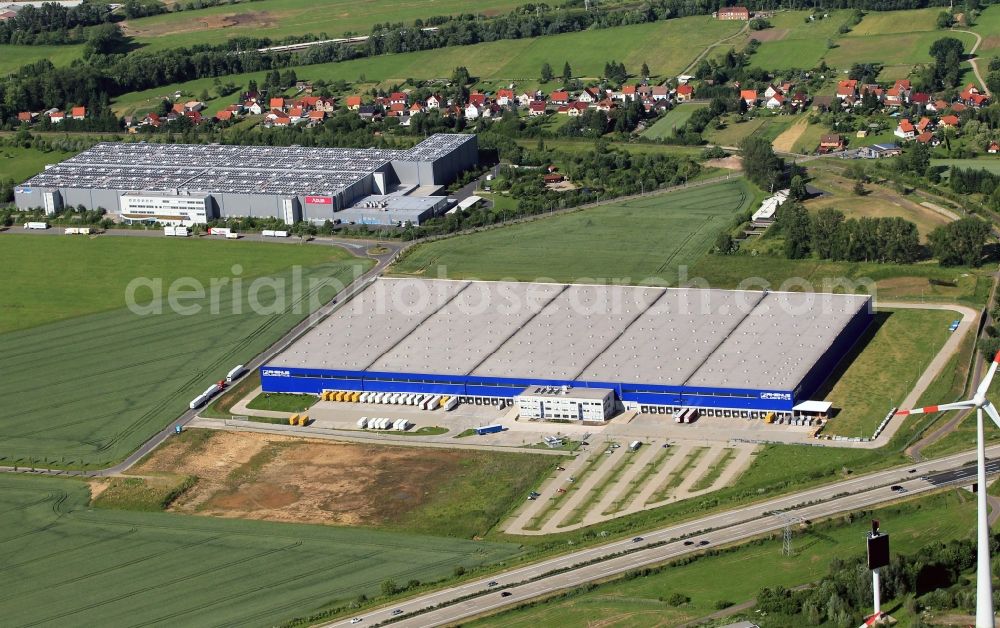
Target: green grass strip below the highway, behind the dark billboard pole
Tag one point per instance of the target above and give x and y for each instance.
(640, 602)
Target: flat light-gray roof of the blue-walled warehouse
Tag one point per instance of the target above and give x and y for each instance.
(593, 333)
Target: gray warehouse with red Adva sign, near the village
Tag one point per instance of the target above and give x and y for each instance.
(191, 184)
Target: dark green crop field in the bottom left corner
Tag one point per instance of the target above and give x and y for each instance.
(67, 564)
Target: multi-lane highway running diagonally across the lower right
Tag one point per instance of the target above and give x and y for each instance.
(531, 581)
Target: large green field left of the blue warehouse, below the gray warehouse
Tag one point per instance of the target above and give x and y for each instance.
(87, 380)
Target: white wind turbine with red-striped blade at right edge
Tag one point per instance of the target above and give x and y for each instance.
(984, 588)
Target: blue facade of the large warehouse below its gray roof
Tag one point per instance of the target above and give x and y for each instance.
(283, 379)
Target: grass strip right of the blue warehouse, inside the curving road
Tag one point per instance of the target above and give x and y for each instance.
(877, 376)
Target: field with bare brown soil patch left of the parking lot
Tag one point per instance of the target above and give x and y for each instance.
(453, 493)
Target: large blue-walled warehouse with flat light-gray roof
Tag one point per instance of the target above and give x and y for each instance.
(657, 349)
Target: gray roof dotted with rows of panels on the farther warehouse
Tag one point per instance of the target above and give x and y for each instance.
(280, 170)
